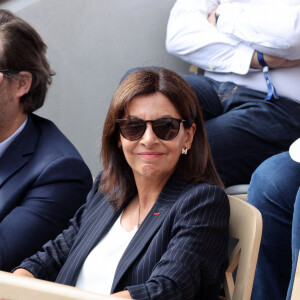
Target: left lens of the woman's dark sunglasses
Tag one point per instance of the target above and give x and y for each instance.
(132, 129)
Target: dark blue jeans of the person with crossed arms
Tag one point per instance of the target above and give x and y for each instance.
(243, 129)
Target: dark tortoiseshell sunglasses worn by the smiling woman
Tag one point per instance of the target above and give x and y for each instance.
(164, 128)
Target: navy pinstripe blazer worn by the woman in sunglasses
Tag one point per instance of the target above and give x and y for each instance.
(179, 251)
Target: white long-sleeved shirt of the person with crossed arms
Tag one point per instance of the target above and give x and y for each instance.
(225, 51)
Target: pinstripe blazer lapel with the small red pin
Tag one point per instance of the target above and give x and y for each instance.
(149, 227)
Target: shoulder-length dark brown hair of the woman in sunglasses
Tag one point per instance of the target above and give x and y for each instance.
(197, 166)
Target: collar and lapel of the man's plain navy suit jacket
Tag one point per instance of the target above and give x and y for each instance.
(19, 151)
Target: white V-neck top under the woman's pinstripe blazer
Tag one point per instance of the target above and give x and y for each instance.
(98, 271)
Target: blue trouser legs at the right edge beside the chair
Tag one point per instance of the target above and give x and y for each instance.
(274, 190)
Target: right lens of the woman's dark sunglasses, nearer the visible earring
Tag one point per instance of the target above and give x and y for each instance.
(166, 128)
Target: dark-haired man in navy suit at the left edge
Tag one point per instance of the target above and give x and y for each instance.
(43, 179)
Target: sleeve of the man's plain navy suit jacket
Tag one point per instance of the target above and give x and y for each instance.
(48, 205)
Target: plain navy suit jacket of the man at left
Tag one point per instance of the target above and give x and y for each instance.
(43, 181)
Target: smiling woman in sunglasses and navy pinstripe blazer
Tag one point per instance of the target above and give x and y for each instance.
(156, 225)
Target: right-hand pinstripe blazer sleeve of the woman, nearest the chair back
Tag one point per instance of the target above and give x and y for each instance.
(196, 255)
